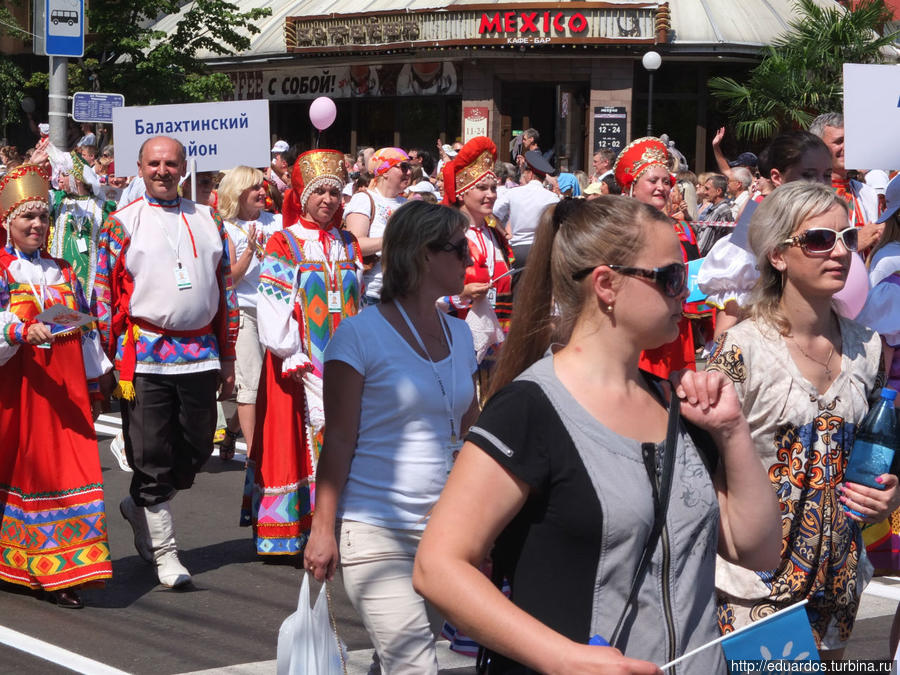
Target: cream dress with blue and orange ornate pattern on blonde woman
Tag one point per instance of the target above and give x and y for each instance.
(803, 439)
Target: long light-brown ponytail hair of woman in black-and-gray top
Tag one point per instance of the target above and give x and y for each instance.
(573, 235)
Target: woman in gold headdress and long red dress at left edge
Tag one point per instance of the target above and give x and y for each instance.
(52, 516)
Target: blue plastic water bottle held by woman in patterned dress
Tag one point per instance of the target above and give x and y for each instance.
(876, 440)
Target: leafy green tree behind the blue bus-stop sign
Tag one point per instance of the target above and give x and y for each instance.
(124, 55)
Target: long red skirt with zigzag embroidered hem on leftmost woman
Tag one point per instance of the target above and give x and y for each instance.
(52, 516)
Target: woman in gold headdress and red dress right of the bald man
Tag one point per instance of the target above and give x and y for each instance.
(308, 283)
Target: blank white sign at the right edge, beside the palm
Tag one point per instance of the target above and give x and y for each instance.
(871, 116)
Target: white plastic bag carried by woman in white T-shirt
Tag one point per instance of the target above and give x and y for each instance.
(307, 644)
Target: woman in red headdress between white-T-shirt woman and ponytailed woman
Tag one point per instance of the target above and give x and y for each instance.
(486, 301)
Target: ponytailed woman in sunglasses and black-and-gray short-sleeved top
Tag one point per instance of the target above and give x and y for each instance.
(557, 468)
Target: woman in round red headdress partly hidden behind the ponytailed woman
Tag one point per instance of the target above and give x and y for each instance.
(642, 170)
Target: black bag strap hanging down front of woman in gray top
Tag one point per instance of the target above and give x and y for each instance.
(661, 484)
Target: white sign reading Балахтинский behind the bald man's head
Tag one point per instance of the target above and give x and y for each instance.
(218, 135)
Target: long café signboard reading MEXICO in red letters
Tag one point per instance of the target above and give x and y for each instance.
(475, 26)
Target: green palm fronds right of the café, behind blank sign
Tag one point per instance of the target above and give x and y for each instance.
(800, 75)
